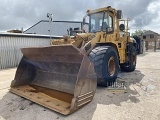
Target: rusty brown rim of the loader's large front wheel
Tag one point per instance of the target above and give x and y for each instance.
(111, 66)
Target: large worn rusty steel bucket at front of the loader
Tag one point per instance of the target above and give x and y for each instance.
(61, 78)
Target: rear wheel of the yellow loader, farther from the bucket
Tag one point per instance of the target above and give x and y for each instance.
(131, 65)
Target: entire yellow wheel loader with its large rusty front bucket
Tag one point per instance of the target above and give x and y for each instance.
(63, 77)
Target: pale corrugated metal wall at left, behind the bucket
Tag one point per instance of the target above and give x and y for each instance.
(10, 44)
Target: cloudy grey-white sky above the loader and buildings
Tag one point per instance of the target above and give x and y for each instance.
(14, 14)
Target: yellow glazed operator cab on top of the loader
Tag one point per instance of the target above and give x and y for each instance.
(102, 20)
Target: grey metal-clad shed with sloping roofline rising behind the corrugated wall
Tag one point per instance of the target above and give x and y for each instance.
(53, 28)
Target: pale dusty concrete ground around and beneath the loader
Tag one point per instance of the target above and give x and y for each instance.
(139, 101)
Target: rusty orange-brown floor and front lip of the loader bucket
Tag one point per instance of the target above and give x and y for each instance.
(60, 102)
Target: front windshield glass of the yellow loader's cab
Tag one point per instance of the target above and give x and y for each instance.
(98, 22)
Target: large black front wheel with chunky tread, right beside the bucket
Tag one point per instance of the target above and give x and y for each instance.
(106, 64)
